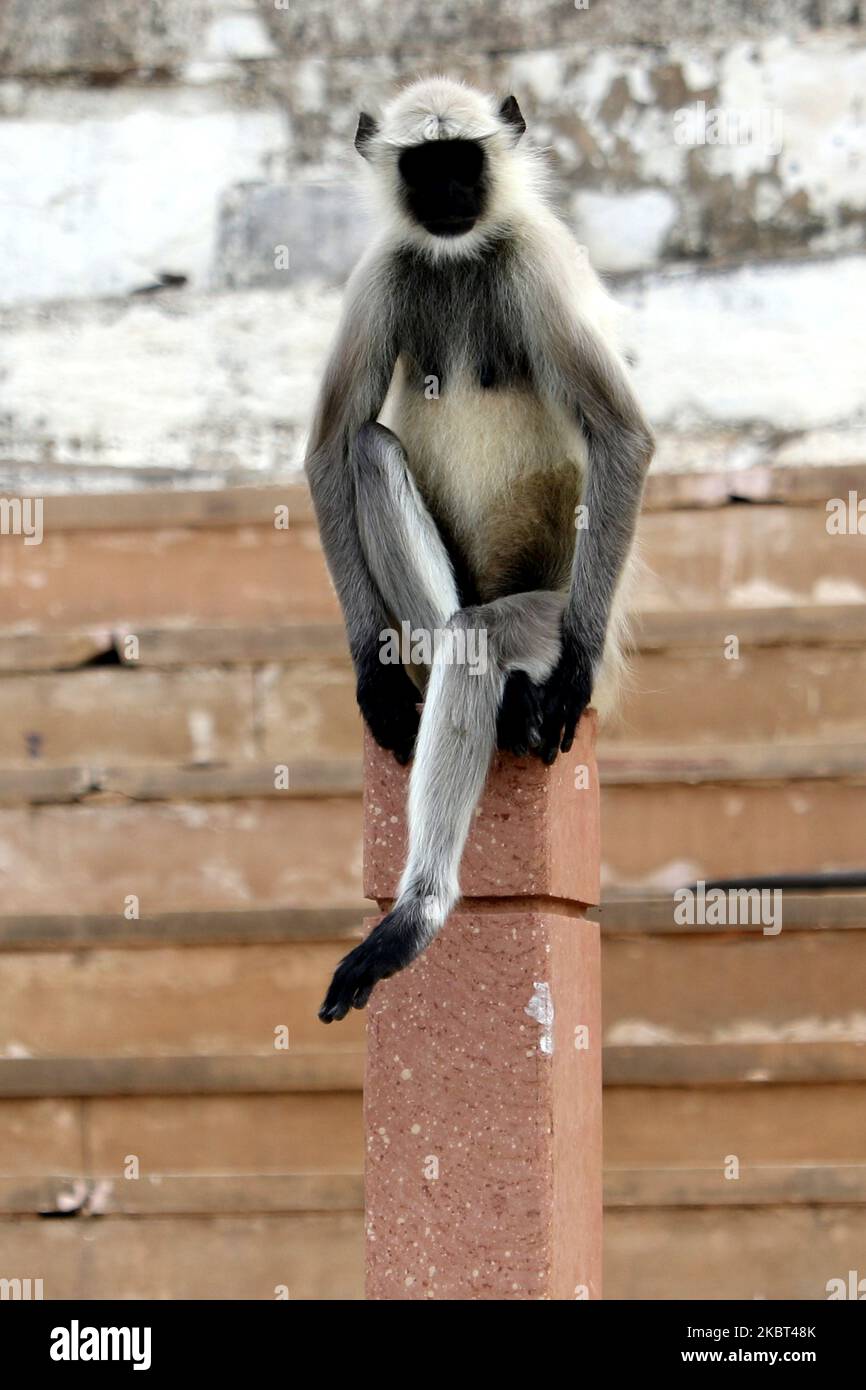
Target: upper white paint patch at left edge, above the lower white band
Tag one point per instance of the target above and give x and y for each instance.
(92, 205)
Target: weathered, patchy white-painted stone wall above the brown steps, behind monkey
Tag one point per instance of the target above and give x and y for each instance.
(156, 158)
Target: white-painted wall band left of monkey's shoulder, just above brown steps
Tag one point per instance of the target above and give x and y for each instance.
(223, 382)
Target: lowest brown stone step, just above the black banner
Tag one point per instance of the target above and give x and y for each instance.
(764, 1253)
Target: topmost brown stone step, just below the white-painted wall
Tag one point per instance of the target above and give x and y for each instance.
(202, 566)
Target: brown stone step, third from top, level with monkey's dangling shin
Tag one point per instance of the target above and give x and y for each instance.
(300, 851)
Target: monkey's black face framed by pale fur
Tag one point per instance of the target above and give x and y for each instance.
(444, 186)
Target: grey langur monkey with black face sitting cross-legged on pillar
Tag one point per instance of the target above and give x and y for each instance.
(454, 509)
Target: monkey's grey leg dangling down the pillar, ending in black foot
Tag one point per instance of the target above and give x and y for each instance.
(454, 753)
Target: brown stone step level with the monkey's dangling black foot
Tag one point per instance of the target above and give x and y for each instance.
(682, 995)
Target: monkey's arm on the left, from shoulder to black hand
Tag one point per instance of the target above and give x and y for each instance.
(354, 390)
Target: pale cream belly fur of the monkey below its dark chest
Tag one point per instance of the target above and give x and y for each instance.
(479, 455)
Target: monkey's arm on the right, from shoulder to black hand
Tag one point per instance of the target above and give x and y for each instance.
(591, 384)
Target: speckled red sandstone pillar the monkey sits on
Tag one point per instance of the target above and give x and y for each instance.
(484, 1081)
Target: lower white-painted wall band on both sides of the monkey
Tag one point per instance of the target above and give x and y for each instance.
(227, 382)
